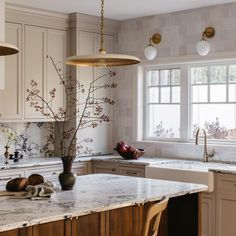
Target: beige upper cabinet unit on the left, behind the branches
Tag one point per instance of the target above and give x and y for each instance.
(39, 38)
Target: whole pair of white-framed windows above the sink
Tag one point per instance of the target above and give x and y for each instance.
(179, 100)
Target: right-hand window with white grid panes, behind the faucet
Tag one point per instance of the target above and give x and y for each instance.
(214, 100)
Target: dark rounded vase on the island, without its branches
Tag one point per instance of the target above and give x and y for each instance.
(67, 177)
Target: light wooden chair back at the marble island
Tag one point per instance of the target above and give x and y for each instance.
(154, 211)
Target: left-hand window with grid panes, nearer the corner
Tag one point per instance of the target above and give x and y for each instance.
(163, 99)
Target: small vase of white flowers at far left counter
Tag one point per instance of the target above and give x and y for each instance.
(8, 138)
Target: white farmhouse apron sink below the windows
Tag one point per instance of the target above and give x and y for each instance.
(183, 171)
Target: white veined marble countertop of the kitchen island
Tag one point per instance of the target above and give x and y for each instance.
(92, 193)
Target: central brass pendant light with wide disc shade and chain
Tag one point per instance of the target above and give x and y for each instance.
(102, 59)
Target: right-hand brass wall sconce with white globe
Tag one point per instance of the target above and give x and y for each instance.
(203, 47)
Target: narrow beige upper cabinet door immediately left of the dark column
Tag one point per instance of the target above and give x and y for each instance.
(57, 50)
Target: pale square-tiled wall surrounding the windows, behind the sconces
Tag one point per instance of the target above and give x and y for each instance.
(180, 32)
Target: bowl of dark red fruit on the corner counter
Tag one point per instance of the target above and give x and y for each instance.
(128, 151)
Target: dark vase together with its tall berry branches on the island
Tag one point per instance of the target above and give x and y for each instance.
(89, 113)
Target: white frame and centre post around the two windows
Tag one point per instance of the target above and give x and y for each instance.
(185, 100)
